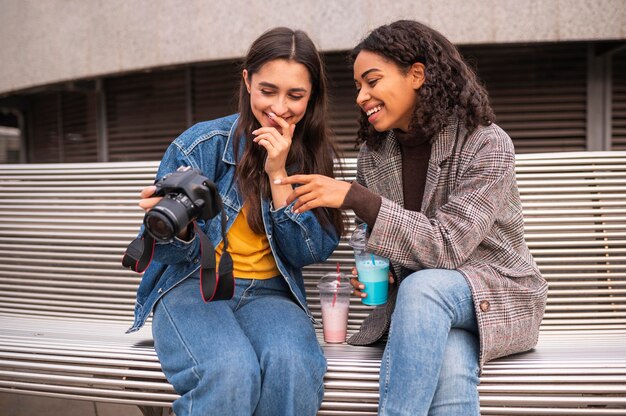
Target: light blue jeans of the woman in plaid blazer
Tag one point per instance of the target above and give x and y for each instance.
(430, 365)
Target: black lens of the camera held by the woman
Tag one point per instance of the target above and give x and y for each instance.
(167, 218)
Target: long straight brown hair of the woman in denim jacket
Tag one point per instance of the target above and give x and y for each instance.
(312, 149)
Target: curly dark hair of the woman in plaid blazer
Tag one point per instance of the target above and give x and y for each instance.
(451, 87)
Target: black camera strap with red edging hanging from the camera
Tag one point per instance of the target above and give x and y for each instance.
(214, 285)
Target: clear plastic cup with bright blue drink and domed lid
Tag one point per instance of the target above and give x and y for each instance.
(373, 270)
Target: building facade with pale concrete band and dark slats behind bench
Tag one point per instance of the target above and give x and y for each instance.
(86, 81)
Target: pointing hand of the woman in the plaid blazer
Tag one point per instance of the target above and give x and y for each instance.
(315, 191)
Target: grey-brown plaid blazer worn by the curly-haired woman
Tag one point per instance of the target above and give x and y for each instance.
(470, 221)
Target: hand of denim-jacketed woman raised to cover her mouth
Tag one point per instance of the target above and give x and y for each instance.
(277, 146)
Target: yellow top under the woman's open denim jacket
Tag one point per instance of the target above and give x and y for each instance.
(251, 252)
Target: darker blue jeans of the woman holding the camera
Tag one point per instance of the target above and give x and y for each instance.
(256, 354)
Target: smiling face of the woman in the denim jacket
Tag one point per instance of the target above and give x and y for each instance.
(281, 87)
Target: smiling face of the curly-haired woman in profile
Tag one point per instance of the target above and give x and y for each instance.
(386, 93)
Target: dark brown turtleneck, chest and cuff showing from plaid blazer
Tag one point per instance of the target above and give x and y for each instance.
(415, 150)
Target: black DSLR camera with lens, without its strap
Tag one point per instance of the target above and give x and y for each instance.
(187, 196)
